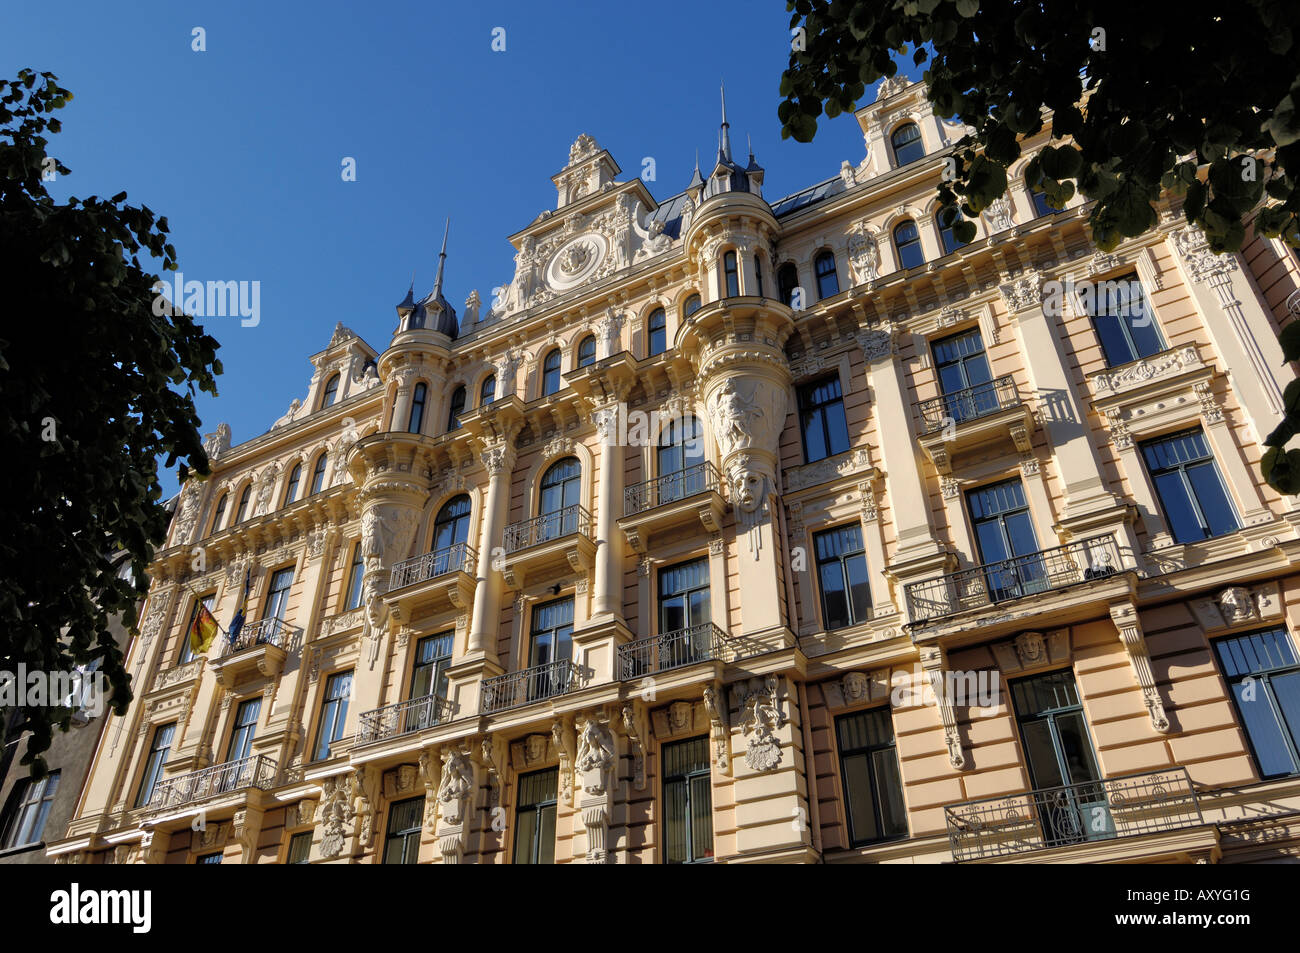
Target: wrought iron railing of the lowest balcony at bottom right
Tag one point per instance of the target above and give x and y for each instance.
(1084, 813)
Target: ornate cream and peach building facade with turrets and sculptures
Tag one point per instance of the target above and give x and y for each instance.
(748, 531)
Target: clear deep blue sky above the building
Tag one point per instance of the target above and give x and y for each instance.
(241, 146)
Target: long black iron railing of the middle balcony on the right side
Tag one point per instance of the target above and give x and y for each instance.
(1013, 579)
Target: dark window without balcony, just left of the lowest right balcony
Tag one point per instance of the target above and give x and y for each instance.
(869, 769)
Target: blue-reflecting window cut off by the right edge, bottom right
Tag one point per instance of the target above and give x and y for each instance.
(1264, 675)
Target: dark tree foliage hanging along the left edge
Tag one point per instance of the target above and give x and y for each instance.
(94, 389)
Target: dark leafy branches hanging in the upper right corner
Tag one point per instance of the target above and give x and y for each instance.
(1197, 98)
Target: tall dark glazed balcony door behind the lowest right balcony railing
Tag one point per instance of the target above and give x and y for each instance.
(1071, 804)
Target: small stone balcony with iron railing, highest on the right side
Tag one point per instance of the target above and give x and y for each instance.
(972, 419)
